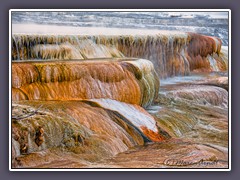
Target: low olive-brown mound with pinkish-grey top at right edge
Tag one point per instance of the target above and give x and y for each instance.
(198, 112)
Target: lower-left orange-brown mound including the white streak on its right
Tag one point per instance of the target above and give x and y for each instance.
(96, 129)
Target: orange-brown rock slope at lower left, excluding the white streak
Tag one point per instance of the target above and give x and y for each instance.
(103, 132)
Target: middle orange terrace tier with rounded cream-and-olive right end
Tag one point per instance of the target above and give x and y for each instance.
(133, 82)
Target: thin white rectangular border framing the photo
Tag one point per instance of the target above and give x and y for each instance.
(122, 10)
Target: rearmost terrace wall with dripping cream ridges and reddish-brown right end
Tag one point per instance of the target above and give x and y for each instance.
(172, 53)
